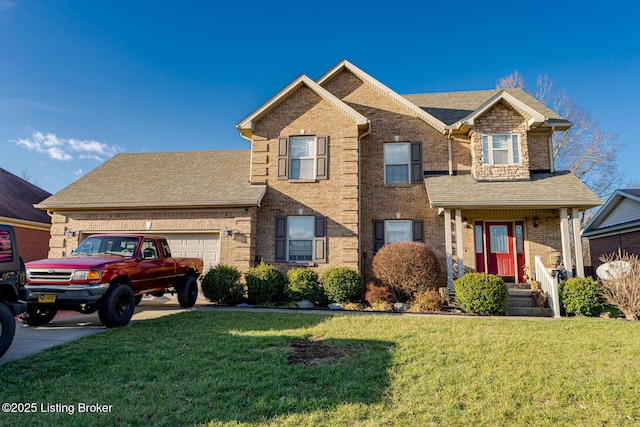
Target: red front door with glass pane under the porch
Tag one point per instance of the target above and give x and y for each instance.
(500, 251)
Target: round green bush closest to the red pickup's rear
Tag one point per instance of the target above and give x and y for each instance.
(222, 285)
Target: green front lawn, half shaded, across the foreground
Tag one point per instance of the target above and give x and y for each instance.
(240, 368)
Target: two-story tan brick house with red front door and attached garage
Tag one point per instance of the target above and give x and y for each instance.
(340, 166)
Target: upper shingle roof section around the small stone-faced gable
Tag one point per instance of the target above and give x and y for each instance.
(449, 107)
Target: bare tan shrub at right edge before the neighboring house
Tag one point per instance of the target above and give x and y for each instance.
(622, 290)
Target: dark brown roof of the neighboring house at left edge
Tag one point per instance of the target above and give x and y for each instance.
(17, 198)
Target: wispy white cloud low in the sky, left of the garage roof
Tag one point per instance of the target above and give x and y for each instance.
(64, 149)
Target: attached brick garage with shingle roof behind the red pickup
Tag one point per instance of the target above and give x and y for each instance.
(193, 199)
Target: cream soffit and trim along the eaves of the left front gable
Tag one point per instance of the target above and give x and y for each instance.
(246, 126)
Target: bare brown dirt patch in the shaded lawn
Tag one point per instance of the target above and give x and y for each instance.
(311, 351)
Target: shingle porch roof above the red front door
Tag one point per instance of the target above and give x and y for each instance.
(544, 190)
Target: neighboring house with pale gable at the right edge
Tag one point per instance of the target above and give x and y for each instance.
(615, 227)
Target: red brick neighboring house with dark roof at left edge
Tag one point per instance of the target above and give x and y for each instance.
(32, 225)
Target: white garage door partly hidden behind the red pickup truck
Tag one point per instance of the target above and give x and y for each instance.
(205, 246)
